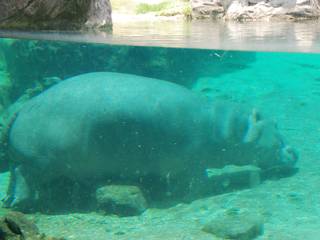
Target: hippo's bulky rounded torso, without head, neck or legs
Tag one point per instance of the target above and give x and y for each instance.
(108, 123)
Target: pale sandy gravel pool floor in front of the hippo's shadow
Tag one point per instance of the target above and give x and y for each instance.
(289, 206)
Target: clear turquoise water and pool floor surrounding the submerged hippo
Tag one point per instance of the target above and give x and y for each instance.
(285, 87)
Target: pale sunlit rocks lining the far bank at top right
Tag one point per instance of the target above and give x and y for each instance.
(256, 9)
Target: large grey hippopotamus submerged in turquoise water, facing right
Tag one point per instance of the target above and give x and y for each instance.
(103, 124)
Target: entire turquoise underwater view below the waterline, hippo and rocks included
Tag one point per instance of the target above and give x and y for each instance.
(105, 141)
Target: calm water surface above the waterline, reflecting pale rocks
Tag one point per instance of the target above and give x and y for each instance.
(263, 36)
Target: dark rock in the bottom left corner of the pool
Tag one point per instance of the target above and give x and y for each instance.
(15, 226)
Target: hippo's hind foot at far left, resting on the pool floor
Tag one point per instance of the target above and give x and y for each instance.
(18, 191)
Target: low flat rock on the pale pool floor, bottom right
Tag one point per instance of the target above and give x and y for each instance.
(235, 224)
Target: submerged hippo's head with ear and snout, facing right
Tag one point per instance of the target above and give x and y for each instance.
(270, 150)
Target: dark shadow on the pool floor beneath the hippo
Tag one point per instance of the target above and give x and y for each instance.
(64, 195)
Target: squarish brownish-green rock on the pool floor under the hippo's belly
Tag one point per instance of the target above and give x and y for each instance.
(121, 200)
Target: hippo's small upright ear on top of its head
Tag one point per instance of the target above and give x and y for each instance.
(254, 127)
